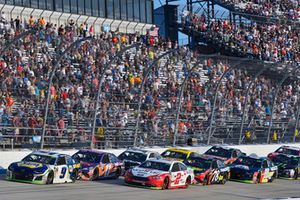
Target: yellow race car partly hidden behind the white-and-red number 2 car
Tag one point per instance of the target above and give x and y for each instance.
(178, 154)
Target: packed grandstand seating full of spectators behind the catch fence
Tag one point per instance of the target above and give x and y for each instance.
(65, 84)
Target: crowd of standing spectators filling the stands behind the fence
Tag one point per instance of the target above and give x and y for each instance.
(25, 69)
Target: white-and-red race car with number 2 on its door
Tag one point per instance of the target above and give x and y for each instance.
(160, 174)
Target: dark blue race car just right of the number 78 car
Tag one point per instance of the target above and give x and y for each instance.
(253, 169)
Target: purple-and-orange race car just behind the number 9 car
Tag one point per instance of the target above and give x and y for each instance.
(96, 164)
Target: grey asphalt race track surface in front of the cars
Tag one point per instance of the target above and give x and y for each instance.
(116, 190)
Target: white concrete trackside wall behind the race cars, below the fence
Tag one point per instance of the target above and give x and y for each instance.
(7, 157)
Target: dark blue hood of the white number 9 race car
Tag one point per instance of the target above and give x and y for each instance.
(29, 167)
